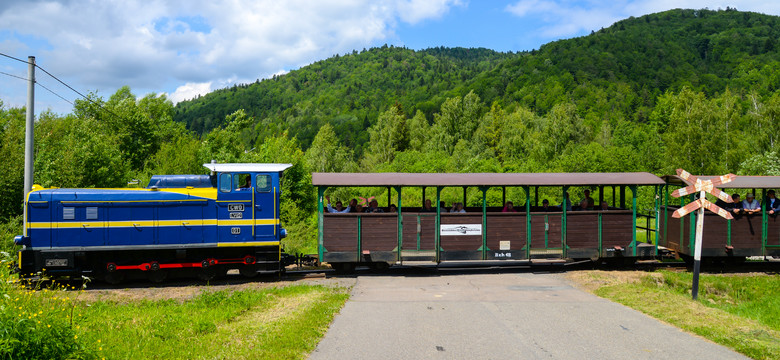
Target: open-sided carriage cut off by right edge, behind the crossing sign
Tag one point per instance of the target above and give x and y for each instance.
(723, 240)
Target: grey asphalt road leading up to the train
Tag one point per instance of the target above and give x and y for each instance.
(498, 316)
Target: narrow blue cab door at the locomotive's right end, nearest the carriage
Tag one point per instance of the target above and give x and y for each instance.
(266, 203)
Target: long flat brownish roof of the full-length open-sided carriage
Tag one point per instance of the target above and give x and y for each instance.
(483, 179)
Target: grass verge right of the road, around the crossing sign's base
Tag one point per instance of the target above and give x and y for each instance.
(738, 311)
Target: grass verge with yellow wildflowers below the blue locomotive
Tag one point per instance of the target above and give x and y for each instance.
(267, 323)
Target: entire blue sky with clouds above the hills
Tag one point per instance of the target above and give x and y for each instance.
(184, 48)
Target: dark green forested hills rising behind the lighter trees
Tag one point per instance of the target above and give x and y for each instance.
(621, 69)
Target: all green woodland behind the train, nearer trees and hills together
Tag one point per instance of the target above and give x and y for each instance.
(693, 89)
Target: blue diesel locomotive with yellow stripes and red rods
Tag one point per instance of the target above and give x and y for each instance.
(201, 225)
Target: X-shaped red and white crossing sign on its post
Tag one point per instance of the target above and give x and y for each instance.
(702, 187)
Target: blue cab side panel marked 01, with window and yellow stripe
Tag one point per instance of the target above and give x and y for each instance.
(234, 207)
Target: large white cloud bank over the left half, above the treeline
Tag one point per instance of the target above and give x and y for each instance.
(154, 45)
